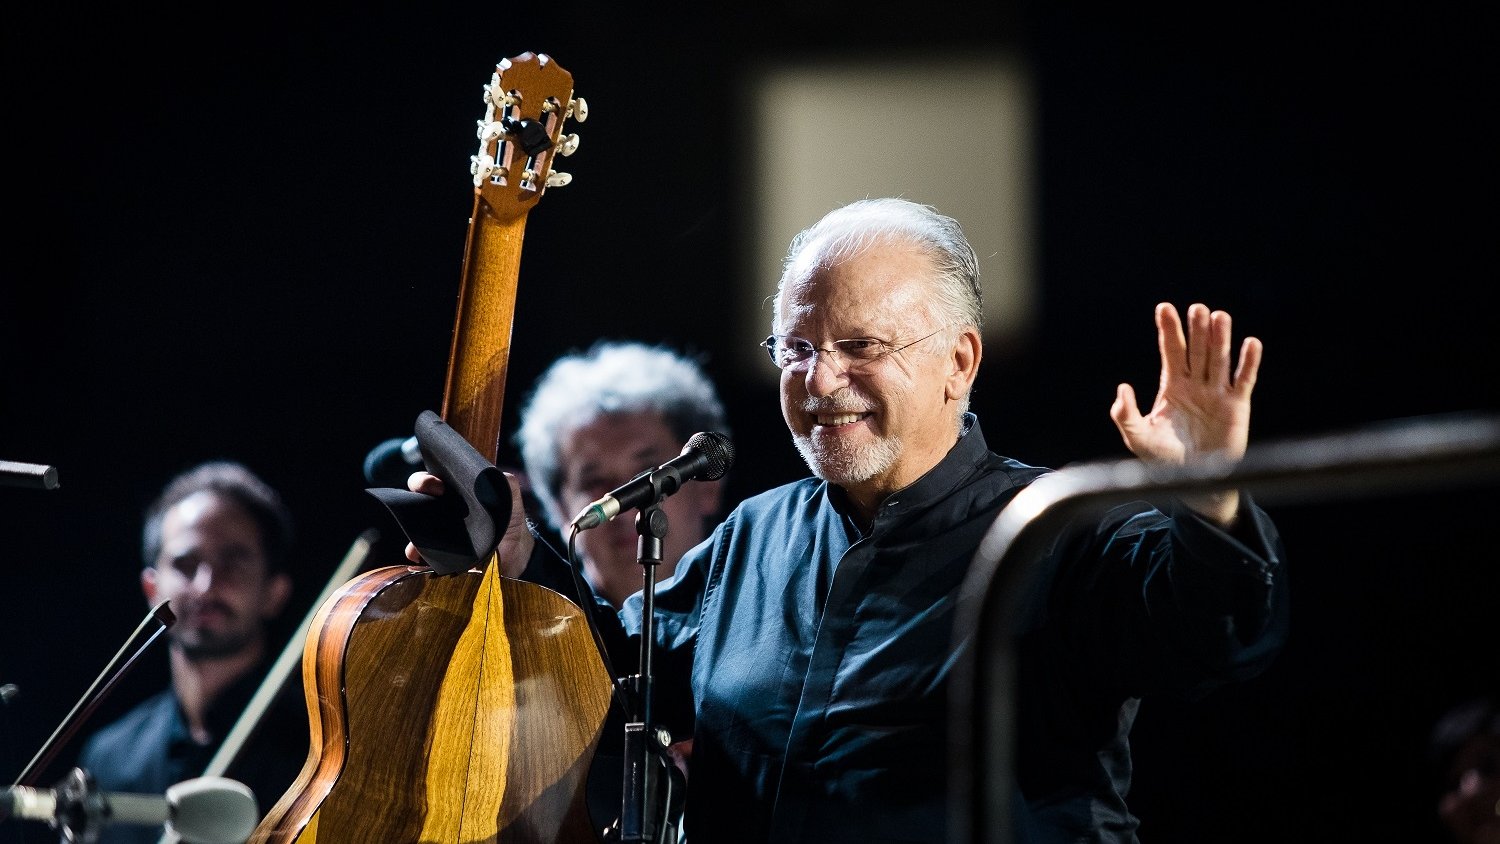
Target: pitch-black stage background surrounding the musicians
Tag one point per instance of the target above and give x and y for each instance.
(239, 236)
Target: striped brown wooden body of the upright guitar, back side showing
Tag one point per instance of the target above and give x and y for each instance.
(484, 731)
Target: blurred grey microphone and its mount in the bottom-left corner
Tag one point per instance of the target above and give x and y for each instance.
(209, 810)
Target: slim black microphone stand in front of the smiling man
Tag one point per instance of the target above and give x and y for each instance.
(653, 786)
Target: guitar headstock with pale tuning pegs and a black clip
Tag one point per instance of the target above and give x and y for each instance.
(527, 104)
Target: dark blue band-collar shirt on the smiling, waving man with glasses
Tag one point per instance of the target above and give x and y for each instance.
(811, 660)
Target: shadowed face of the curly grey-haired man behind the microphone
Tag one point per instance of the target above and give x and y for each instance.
(598, 458)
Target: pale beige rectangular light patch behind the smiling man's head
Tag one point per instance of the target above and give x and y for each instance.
(953, 133)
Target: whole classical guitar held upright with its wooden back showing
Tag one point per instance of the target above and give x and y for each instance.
(460, 707)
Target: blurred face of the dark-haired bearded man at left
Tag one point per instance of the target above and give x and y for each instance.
(214, 572)
